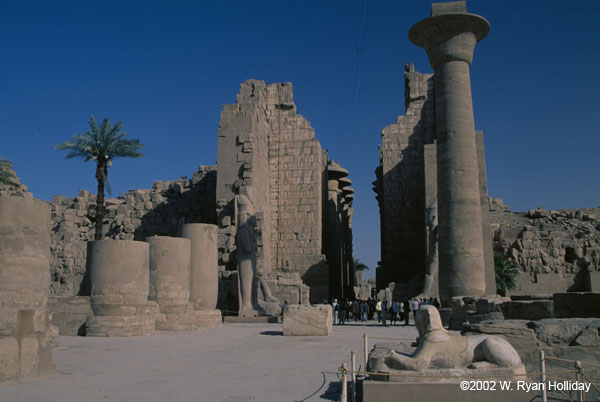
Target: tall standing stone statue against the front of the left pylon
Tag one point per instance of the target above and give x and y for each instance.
(246, 244)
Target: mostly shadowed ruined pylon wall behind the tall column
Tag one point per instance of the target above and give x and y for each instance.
(402, 182)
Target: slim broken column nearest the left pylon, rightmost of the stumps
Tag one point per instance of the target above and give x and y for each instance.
(204, 270)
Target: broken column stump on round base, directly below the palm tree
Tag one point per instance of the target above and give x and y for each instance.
(119, 276)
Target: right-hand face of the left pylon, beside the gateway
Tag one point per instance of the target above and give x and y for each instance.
(296, 166)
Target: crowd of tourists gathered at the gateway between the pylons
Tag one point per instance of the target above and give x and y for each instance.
(365, 310)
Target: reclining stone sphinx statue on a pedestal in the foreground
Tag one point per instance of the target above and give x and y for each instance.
(440, 349)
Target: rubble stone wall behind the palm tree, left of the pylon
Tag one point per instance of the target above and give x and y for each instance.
(136, 215)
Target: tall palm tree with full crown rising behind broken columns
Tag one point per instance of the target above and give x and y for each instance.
(103, 143)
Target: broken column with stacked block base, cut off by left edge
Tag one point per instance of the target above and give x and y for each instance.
(26, 336)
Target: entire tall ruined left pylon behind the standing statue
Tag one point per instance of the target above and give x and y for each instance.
(269, 153)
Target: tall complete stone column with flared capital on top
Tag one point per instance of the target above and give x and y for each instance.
(449, 37)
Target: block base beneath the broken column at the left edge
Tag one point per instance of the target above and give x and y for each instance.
(26, 339)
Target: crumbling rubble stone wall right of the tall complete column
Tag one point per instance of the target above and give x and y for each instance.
(556, 251)
